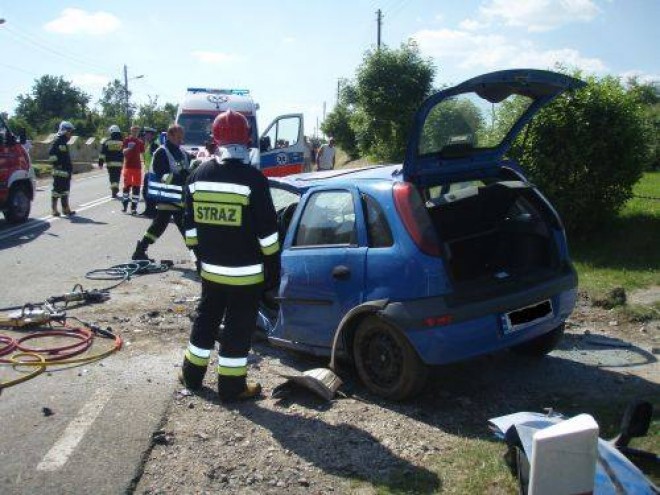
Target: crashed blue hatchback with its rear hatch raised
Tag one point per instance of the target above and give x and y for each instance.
(450, 255)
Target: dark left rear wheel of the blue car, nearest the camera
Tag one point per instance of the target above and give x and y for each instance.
(386, 362)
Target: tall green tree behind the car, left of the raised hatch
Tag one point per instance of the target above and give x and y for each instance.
(390, 86)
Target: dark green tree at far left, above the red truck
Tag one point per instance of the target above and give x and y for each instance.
(51, 100)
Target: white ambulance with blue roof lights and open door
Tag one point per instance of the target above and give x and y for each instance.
(281, 150)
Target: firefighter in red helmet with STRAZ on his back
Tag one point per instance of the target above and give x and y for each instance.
(231, 225)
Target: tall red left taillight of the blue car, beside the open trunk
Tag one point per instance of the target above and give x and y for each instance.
(415, 219)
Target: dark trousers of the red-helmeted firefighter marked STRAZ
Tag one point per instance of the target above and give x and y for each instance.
(238, 309)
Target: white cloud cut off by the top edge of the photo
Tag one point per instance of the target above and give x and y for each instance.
(540, 15)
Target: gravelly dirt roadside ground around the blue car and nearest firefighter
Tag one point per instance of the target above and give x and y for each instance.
(296, 443)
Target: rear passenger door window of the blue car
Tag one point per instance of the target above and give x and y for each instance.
(328, 219)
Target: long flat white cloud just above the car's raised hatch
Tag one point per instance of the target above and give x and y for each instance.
(491, 52)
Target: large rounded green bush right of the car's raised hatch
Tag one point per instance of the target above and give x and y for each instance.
(586, 151)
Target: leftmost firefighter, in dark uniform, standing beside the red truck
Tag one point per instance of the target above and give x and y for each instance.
(60, 158)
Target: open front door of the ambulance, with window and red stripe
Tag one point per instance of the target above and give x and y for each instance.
(283, 148)
